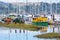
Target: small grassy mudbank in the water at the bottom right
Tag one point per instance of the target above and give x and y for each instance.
(48, 35)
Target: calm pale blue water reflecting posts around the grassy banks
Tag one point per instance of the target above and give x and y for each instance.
(17, 34)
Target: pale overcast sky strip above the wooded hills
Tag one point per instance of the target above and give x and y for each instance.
(50, 1)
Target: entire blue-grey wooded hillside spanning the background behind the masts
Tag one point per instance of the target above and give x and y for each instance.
(30, 8)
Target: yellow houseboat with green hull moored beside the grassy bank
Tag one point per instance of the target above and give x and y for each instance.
(40, 21)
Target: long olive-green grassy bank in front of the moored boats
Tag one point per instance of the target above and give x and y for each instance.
(21, 26)
